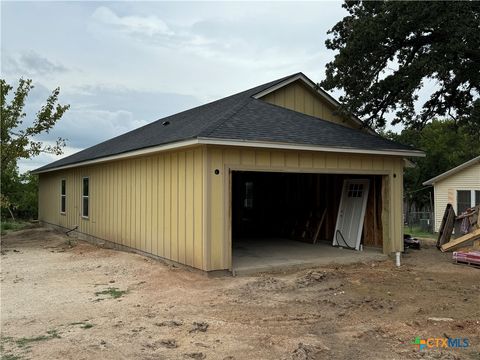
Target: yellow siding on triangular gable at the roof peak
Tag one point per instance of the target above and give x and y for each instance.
(298, 97)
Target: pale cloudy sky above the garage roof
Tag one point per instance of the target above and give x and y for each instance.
(121, 65)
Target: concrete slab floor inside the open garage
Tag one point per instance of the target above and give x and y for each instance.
(263, 255)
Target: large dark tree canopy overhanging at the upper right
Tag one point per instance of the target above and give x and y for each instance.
(388, 50)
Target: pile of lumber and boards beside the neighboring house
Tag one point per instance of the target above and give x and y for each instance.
(468, 224)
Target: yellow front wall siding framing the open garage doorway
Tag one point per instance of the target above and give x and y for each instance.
(226, 159)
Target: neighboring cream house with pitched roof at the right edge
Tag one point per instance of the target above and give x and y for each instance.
(459, 186)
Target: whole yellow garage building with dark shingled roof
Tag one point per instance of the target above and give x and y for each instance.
(270, 165)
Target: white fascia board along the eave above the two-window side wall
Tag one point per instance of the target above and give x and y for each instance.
(130, 154)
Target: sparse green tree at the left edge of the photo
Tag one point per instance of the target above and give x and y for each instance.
(18, 139)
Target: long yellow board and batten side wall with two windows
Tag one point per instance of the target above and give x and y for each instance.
(154, 204)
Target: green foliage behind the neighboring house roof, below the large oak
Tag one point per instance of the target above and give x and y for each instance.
(445, 144)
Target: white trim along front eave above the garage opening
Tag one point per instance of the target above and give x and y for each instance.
(286, 146)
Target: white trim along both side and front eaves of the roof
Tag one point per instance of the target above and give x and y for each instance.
(244, 143)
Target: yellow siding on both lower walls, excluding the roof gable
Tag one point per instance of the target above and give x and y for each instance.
(174, 205)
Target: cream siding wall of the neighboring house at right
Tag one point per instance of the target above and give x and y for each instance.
(445, 190)
